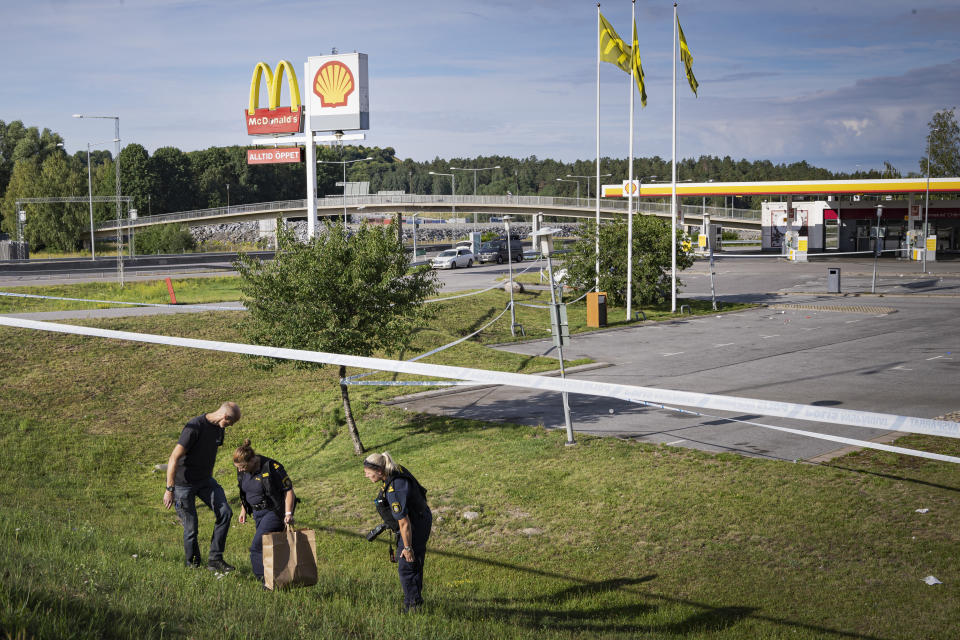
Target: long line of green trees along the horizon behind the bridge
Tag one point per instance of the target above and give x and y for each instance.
(33, 163)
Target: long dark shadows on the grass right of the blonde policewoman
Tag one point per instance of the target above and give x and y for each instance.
(524, 612)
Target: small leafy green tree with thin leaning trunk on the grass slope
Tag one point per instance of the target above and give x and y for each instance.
(336, 293)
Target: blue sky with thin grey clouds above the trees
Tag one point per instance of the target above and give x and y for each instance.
(844, 85)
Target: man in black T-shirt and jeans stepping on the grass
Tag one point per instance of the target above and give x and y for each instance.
(190, 475)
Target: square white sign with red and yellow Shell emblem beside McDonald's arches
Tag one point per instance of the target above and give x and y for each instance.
(339, 96)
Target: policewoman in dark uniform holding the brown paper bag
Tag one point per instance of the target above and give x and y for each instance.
(266, 493)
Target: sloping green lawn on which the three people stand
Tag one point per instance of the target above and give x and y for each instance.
(610, 538)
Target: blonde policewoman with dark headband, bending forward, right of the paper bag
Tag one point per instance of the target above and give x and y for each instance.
(407, 501)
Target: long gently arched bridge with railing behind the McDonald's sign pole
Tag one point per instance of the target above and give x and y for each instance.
(463, 203)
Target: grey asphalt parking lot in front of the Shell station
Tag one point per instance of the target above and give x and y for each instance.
(890, 353)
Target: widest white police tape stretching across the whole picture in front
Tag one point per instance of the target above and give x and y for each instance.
(829, 415)
